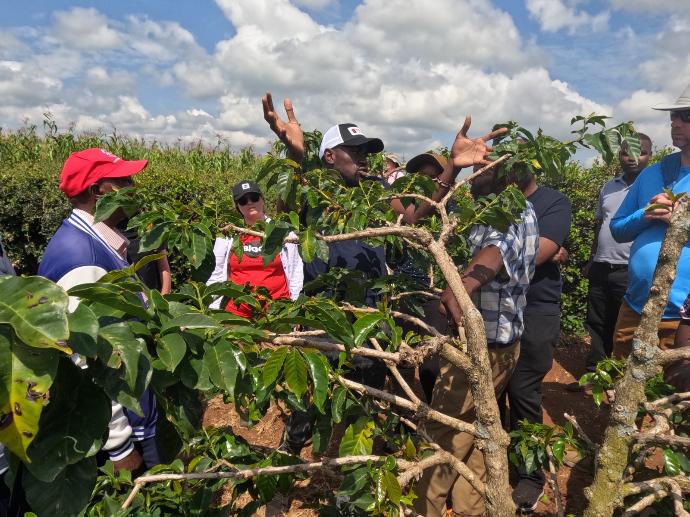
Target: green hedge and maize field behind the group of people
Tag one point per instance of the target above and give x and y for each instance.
(33, 207)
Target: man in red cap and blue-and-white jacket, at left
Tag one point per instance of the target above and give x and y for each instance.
(82, 251)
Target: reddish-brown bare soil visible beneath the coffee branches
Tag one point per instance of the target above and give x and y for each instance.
(568, 365)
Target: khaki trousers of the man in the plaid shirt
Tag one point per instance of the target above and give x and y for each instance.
(452, 397)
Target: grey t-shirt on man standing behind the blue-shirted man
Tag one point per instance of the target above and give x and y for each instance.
(608, 250)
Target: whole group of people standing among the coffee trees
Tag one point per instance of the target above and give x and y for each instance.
(513, 278)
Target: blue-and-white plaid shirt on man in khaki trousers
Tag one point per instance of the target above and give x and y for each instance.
(502, 301)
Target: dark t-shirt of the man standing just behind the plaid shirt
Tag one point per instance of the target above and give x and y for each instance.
(554, 213)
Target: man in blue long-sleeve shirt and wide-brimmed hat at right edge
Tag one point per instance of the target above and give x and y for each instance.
(642, 219)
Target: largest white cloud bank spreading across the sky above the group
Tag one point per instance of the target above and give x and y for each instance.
(397, 67)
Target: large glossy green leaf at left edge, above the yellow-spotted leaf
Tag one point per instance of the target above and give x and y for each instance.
(36, 309)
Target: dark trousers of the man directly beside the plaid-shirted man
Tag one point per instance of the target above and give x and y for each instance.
(541, 334)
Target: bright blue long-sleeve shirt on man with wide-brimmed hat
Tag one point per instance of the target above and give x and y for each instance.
(629, 225)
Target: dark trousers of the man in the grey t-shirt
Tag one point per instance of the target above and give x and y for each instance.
(607, 285)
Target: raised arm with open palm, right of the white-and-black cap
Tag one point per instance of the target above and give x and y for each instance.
(465, 152)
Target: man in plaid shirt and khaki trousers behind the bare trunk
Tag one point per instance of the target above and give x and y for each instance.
(497, 279)
